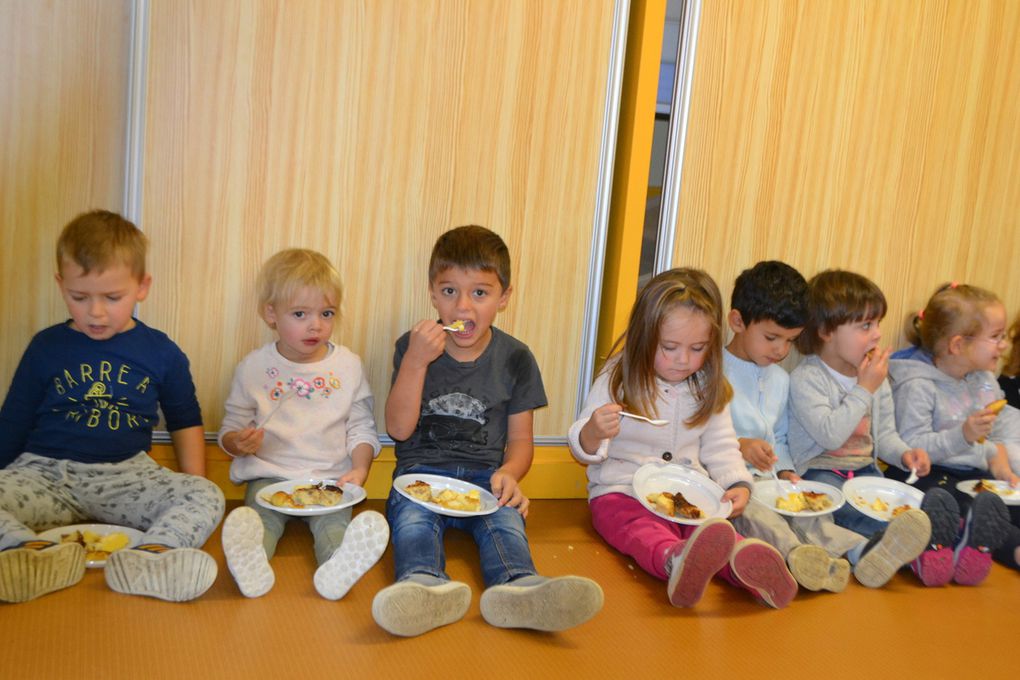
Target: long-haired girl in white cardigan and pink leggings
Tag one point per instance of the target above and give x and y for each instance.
(669, 365)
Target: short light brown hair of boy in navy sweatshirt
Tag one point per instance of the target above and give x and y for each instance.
(97, 240)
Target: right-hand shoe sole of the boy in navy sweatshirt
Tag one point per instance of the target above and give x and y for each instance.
(177, 576)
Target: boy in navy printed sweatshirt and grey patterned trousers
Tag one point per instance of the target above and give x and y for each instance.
(78, 422)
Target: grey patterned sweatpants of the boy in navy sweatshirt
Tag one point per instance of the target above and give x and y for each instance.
(171, 508)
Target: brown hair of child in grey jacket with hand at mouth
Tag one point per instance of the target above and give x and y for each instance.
(835, 298)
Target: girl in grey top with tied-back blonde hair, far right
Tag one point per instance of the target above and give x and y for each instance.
(943, 389)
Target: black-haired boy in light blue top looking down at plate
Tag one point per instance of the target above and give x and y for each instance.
(768, 316)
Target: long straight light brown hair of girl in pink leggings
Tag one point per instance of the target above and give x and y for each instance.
(632, 379)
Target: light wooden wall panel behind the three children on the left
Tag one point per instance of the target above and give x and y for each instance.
(365, 131)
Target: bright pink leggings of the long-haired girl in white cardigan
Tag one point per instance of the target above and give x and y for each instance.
(634, 531)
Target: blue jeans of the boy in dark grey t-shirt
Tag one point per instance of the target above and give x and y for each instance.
(418, 534)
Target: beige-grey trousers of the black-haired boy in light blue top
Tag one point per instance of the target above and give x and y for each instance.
(786, 535)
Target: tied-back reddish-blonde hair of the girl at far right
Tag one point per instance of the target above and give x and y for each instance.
(953, 310)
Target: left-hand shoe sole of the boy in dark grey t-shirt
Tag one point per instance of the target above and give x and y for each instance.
(409, 609)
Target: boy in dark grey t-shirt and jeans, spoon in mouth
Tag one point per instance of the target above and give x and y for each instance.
(462, 407)
